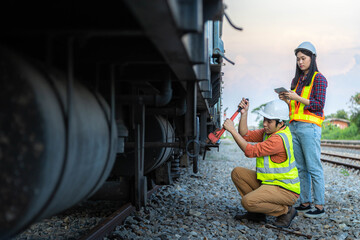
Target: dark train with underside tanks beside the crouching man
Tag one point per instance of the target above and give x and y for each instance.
(103, 100)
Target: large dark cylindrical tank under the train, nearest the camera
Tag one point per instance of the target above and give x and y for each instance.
(52, 154)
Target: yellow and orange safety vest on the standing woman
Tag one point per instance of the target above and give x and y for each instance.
(297, 111)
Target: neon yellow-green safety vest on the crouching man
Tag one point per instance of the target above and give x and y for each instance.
(283, 174)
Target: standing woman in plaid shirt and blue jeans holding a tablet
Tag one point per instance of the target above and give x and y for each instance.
(306, 101)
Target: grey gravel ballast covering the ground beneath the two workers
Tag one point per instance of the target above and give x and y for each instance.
(202, 206)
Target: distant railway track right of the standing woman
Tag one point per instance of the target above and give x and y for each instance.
(339, 158)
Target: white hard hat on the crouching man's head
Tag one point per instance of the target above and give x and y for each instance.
(276, 109)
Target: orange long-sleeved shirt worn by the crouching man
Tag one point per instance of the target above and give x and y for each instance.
(273, 146)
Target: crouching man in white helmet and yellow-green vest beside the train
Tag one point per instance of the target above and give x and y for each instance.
(275, 186)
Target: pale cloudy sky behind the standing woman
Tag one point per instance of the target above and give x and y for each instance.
(264, 51)
